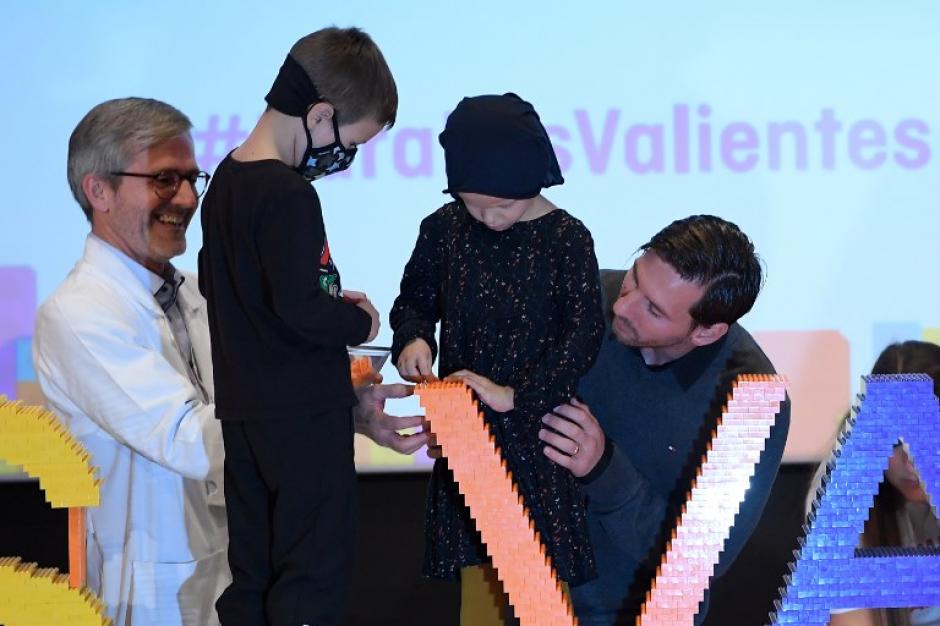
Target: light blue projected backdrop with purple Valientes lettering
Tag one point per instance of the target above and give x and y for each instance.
(814, 126)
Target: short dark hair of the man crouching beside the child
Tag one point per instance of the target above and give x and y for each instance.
(716, 254)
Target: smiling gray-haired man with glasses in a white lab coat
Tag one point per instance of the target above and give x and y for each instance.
(122, 353)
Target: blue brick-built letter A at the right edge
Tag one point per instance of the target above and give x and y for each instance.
(830, 573)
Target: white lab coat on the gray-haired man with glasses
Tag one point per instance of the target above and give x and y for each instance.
(109, 367)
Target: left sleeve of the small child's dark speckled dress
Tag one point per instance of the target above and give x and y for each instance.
(417, 308)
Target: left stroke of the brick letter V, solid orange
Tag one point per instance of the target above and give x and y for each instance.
(495, 505)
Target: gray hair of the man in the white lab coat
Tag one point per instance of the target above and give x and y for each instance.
(112, 133)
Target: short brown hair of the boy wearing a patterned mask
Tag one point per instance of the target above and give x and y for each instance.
(350, 73)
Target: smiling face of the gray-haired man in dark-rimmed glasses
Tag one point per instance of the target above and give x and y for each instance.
(131, 217)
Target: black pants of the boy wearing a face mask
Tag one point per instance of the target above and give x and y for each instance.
(290, 493)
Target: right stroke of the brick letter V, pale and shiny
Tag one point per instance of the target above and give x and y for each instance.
(717, 491)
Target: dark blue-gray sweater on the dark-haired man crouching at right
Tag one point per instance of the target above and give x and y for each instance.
(657, 420)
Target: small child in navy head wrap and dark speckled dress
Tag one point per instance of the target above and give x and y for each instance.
(513, 281)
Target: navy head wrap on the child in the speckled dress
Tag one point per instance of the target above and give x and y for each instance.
(497, 146)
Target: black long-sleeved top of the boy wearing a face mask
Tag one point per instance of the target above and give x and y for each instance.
(278, 324)
